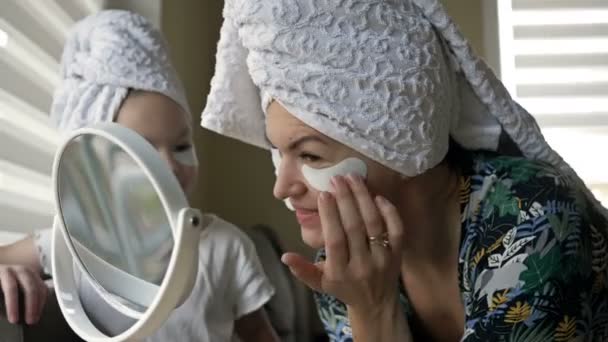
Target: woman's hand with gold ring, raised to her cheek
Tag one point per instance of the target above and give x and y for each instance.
(363, 242)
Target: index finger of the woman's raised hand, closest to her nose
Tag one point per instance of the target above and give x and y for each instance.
(336, 246)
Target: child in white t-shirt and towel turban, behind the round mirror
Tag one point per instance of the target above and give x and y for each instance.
(115, 67)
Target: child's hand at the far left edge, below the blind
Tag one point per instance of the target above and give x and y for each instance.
(16, 281)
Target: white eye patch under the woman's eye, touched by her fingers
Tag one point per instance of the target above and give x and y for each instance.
(320, 179)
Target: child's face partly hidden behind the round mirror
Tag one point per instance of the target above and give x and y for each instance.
(165, 125)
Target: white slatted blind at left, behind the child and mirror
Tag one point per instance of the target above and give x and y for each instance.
(32, 35)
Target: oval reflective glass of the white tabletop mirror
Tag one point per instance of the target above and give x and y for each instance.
(117, 223)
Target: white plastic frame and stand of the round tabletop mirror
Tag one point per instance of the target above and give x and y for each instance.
(186, 224)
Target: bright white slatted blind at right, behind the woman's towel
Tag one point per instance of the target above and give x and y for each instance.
(554, 60)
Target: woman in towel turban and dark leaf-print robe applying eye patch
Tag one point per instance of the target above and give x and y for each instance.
(439, 210)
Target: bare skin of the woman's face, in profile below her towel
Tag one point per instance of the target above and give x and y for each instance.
(300, 145)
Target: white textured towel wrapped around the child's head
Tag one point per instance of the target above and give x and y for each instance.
(106, 55)
